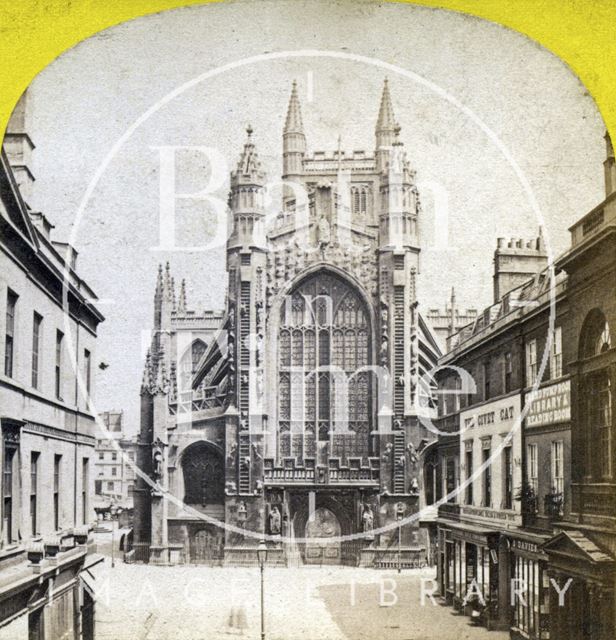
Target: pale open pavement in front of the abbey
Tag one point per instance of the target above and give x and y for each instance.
(143, 602)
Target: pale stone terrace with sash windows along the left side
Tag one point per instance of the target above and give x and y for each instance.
(47, 438)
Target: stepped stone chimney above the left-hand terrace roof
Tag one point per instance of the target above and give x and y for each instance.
(18, 147)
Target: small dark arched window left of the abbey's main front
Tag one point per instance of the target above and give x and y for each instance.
(204, 477)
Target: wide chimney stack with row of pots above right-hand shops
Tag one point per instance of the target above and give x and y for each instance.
(516, 261)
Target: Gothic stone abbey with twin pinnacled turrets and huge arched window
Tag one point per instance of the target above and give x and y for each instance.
(294, 412)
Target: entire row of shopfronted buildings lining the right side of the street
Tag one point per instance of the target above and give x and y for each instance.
(550, 543)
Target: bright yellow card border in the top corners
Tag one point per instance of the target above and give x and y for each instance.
(580, 32)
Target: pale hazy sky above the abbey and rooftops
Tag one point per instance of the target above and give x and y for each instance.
(87, 99)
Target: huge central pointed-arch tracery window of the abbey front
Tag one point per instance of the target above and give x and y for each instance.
(324, 389)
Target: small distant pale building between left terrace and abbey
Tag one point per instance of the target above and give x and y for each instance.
(114, 465)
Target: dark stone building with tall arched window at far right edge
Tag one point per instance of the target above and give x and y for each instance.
(583, 553)
